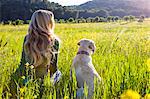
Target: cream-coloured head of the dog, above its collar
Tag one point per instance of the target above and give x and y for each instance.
(87, 44)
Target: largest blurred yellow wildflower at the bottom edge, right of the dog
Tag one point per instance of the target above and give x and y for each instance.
(130, 94)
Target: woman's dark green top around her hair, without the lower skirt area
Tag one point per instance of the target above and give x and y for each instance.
(43, 70)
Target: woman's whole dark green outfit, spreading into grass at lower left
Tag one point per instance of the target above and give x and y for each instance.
(21, 76)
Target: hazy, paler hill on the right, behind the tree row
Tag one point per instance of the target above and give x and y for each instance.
(119, 7)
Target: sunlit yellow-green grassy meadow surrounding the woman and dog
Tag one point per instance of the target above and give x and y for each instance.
(122, 59)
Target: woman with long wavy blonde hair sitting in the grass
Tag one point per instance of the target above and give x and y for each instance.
(40, 50)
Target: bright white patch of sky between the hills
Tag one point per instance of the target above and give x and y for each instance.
(69, 2)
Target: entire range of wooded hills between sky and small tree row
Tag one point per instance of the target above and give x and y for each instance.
(12, 9)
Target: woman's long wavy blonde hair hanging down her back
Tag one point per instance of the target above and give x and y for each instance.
(40, 38)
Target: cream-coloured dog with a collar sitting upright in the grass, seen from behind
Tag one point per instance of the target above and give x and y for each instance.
(84, 68)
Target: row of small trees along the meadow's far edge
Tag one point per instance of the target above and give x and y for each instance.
(97, 19)
